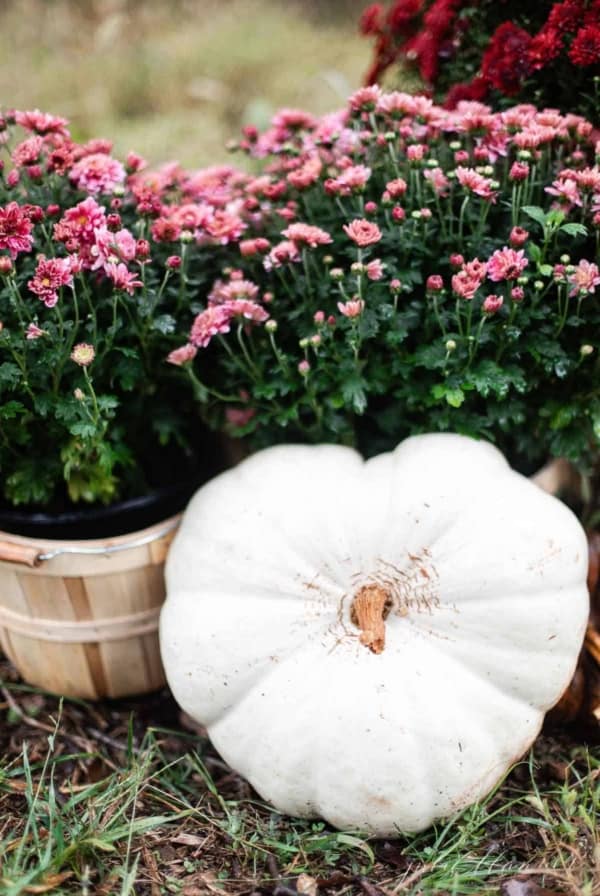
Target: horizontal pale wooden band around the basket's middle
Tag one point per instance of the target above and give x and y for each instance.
(71, 631)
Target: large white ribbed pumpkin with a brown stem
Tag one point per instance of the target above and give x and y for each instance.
(374, 642)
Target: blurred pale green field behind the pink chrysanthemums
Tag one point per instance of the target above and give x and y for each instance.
(175, 79)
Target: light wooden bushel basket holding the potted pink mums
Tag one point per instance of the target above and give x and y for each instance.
(80, 618)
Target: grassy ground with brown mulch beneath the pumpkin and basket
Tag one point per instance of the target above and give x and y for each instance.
(119, 798)
